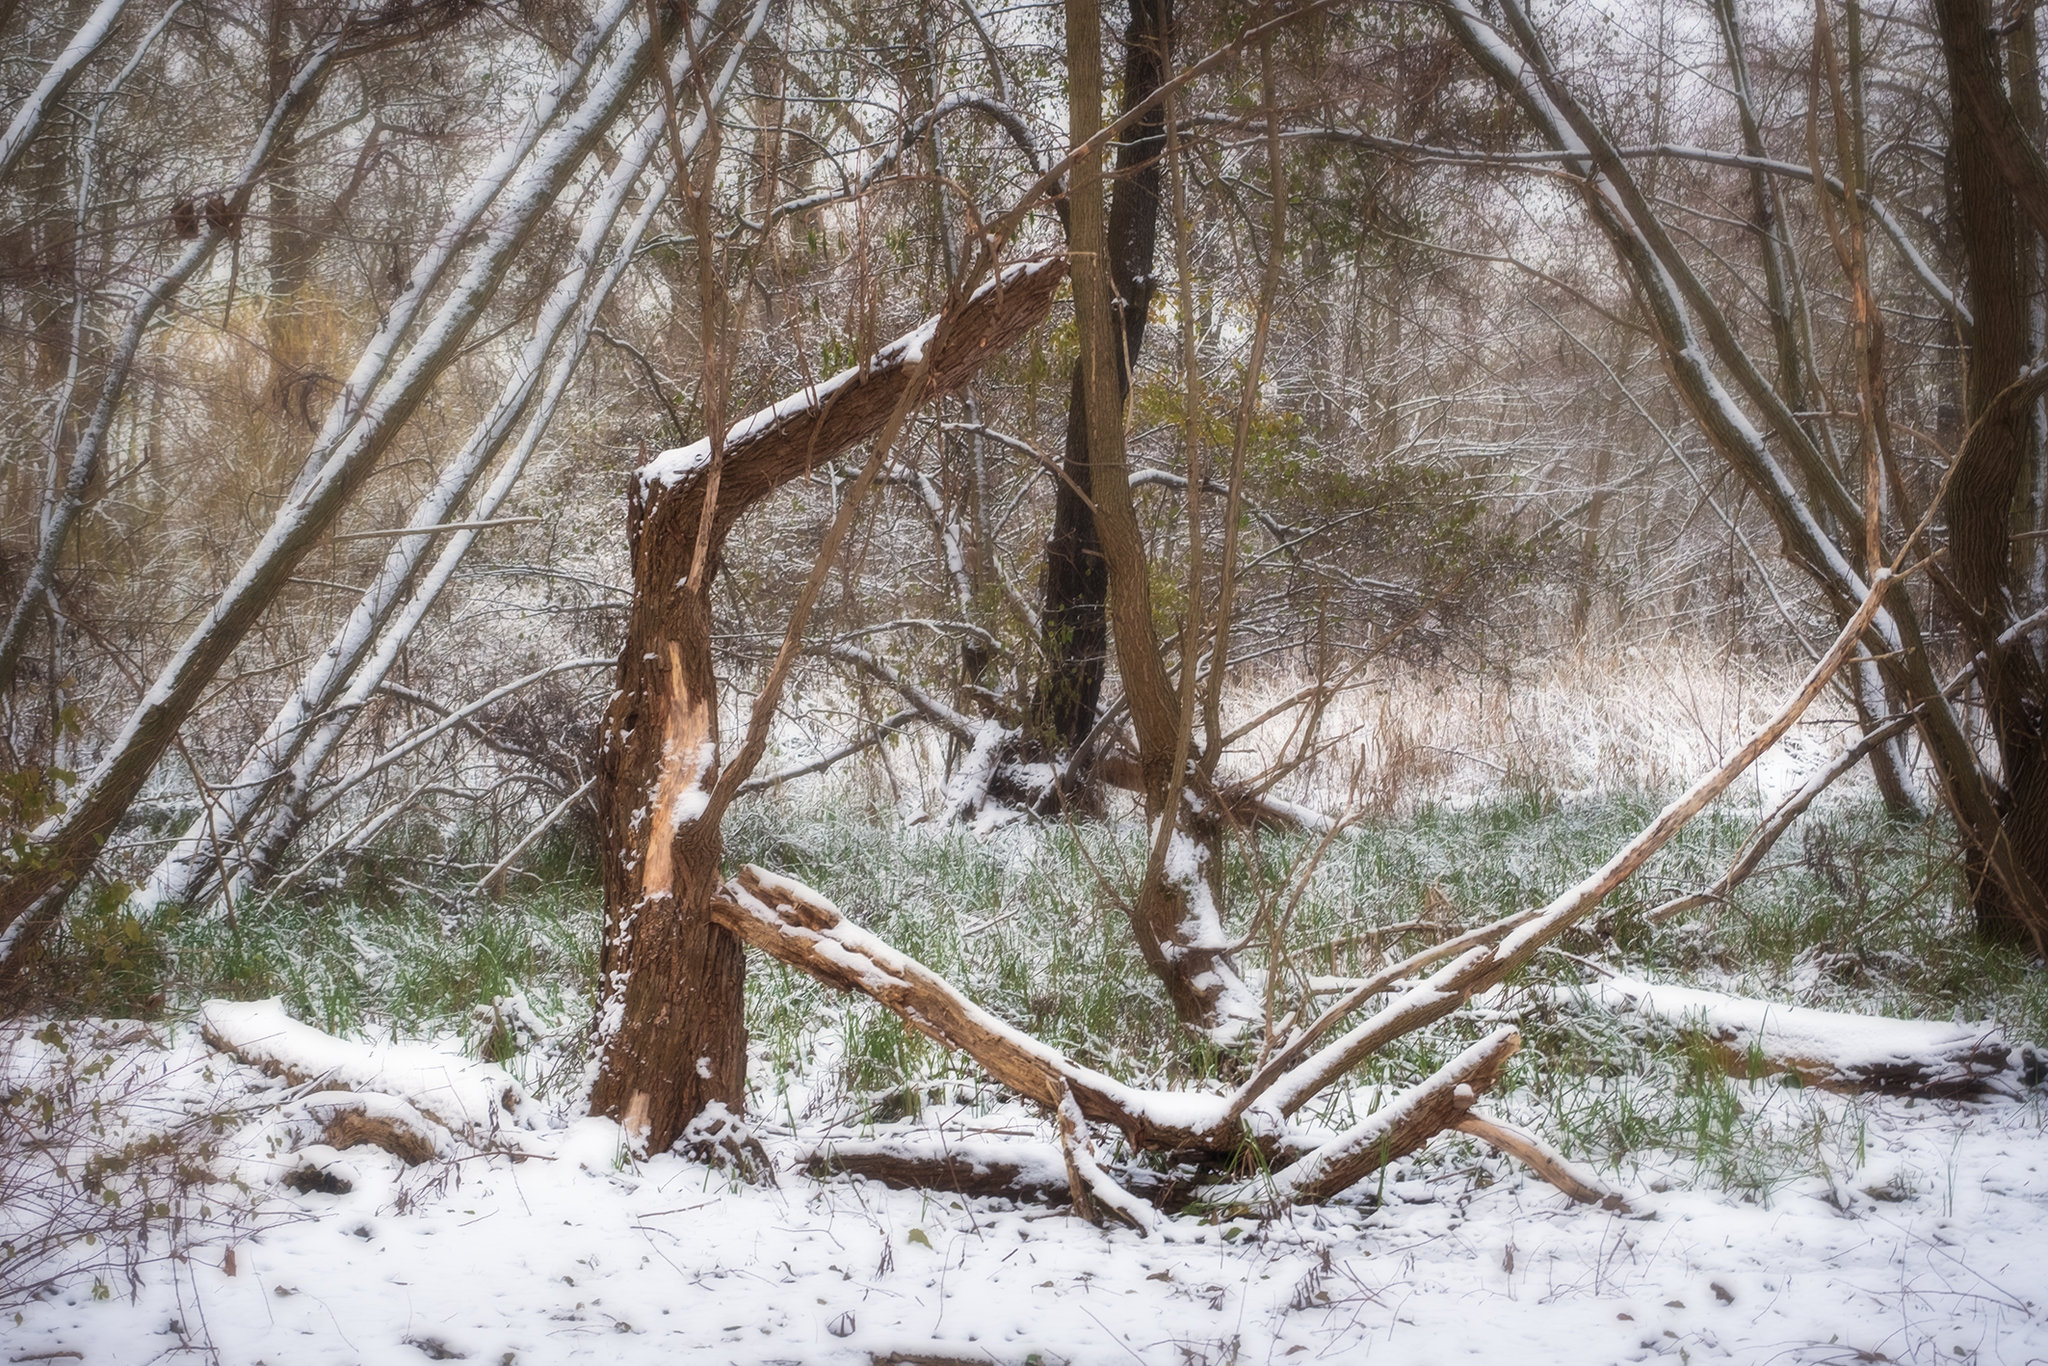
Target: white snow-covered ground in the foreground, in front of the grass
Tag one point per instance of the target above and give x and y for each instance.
(1932, 1248)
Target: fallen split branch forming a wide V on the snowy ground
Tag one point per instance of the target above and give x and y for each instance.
(806, 931)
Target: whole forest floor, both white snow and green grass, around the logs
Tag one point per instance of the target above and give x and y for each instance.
(1770, 1224)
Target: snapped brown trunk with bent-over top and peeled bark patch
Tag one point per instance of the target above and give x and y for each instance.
(671, 1029)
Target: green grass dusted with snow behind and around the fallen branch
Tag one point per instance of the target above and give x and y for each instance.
(1854, 912)
